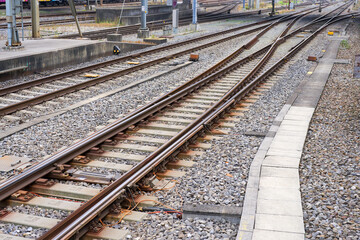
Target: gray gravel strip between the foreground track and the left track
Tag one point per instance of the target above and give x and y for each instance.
(45, 138)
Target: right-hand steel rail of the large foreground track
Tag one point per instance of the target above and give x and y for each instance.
(81, 217)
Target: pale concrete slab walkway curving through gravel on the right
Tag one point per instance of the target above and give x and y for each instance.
(278, 213)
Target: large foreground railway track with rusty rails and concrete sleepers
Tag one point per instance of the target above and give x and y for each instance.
(159, 130)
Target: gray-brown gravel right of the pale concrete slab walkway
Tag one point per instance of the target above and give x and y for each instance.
(330, 170)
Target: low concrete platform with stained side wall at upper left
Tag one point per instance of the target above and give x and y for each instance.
(44, 54)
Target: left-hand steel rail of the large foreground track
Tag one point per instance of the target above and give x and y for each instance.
(41, 169)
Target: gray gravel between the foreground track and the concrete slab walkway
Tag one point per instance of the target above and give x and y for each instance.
(220, 175)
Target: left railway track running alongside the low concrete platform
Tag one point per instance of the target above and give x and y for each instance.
(21, 96)
